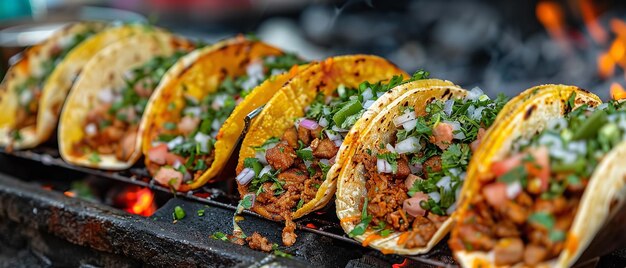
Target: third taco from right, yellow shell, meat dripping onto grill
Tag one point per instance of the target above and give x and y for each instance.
(286, 155)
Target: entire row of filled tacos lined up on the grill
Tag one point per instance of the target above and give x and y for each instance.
(410, 159)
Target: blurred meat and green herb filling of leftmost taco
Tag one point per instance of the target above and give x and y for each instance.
(29, 91)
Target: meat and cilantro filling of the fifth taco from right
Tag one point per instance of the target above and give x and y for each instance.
(112, 125)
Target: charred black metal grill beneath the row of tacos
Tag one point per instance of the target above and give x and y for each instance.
(323, 242)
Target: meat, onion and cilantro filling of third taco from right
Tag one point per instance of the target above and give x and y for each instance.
(287, 171)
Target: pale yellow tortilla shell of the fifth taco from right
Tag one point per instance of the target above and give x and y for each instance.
(105, 71)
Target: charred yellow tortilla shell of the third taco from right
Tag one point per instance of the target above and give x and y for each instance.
(289, 103)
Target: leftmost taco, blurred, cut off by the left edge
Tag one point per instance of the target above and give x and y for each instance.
(25, 83)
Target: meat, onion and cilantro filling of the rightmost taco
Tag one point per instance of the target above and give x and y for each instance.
(528, 202)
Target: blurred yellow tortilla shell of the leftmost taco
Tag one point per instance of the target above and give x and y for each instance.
(29, 66)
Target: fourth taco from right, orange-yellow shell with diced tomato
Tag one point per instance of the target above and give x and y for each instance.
(197, 114)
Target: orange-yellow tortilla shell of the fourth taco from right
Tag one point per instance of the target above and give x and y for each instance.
(199, 74)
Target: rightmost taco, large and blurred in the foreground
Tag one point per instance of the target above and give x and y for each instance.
(543, 182)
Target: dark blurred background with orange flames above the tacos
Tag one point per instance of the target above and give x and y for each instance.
(500, 46)
